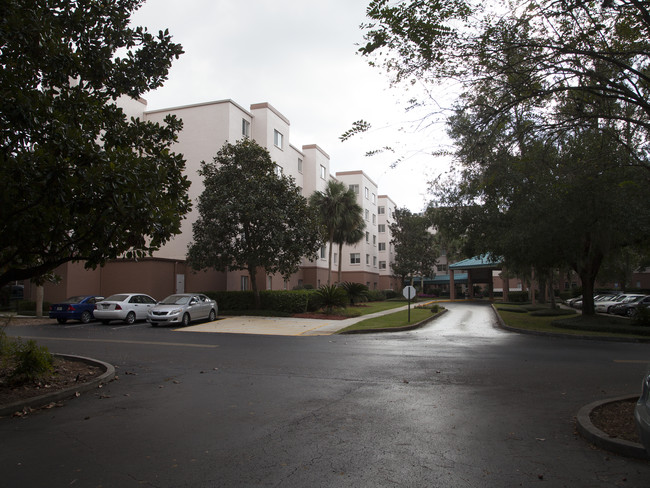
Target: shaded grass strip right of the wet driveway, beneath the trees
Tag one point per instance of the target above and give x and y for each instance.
(597, 326)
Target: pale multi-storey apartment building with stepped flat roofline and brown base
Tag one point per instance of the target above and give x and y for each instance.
(206, 127)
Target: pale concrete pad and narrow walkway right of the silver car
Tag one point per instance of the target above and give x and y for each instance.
(286, 326)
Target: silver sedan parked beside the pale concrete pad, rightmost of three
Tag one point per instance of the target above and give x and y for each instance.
(183, 308)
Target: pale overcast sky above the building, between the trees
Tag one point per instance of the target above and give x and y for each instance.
(299, 56)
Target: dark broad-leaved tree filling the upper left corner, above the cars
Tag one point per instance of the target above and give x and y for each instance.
(79, 181)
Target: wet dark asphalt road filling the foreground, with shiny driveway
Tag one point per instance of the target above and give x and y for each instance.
(459, 403)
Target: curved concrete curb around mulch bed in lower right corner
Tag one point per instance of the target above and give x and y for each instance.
(601, 439)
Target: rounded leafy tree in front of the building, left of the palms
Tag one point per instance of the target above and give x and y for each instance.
(251, 216)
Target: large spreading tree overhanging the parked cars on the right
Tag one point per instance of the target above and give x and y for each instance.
(551, 126)
